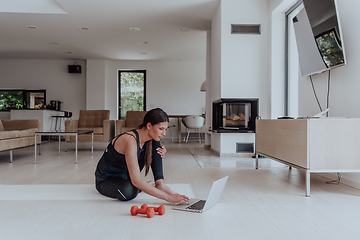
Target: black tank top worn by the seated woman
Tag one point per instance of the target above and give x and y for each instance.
(113, 164)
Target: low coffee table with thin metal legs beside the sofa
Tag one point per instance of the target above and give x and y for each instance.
(75, 133)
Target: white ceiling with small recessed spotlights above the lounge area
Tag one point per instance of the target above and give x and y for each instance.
(50, 29)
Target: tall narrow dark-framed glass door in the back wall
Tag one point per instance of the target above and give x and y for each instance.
(132, 89)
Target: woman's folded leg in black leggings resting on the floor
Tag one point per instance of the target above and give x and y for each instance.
(118, 188)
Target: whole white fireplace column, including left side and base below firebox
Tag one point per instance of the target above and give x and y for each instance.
(239, 61)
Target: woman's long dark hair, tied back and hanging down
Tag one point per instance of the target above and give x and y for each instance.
(154, 116)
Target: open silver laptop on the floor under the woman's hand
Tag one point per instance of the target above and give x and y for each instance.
(200, 206)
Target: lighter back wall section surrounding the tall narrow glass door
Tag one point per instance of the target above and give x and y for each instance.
(173, 86)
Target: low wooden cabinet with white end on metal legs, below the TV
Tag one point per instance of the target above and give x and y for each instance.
(314, 145)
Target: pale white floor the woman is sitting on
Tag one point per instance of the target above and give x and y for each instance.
(55, 199)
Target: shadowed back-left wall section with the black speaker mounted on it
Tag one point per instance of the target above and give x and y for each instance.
(48, 74)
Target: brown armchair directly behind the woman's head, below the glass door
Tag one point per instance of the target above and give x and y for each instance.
(133, 120)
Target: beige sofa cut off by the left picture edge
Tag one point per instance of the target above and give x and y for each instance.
(18, 133)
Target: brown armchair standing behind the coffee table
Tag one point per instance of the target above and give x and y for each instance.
(95, 120)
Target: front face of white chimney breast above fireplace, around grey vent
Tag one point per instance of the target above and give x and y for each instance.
(244, 65)
